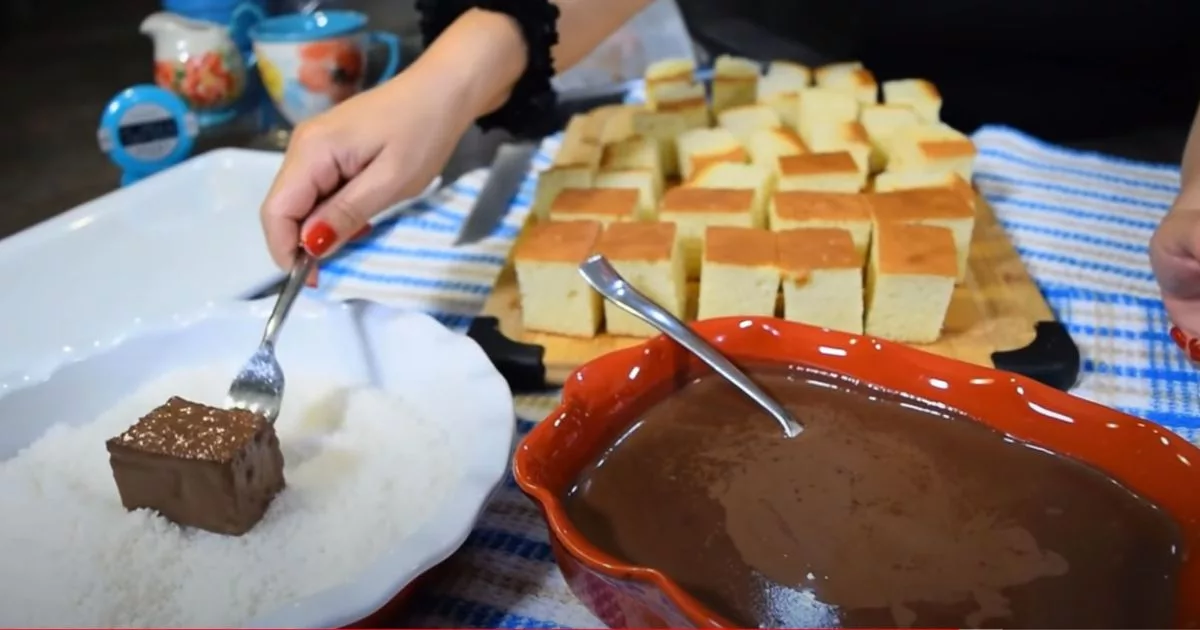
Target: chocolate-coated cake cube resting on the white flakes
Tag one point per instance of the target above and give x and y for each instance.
(199, 466)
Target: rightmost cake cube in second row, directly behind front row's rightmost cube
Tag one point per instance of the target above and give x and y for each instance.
(933, 207)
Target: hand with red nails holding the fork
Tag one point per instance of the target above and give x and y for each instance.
(359, 159)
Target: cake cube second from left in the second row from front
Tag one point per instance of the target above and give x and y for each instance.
(694, 209)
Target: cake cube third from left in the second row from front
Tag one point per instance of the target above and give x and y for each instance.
(805, 211)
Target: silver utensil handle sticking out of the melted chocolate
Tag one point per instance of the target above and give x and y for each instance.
(608, 283)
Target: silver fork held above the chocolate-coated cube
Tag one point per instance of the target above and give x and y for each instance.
(259, 387)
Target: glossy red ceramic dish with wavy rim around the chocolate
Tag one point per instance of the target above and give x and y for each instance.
(604, 397)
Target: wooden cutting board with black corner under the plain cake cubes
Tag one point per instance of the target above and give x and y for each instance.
(998, 319)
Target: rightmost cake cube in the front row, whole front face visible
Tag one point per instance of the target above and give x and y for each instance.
(910, 283)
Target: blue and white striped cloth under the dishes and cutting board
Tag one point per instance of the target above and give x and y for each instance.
(1081, 221)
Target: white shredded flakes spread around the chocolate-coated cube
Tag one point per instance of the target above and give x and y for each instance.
(364, 470)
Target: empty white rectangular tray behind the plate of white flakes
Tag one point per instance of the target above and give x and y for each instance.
(165, 245)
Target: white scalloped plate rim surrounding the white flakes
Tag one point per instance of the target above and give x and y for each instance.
(443, 375)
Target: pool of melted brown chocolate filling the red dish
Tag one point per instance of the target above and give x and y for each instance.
(884, 513)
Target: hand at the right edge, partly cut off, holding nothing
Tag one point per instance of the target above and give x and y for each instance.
(1175, 259)
